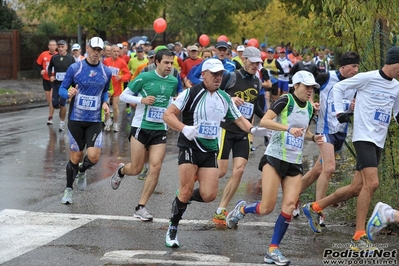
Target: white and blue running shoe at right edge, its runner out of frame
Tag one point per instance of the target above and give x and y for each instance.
(377, 220)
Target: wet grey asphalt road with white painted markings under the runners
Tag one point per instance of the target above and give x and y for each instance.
(98, 229)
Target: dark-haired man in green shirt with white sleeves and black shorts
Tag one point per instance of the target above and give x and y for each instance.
(148, 132)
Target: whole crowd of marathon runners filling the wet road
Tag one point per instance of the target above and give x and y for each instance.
(210, 95)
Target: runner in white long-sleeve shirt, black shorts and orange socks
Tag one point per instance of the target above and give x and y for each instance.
(377, 95)
